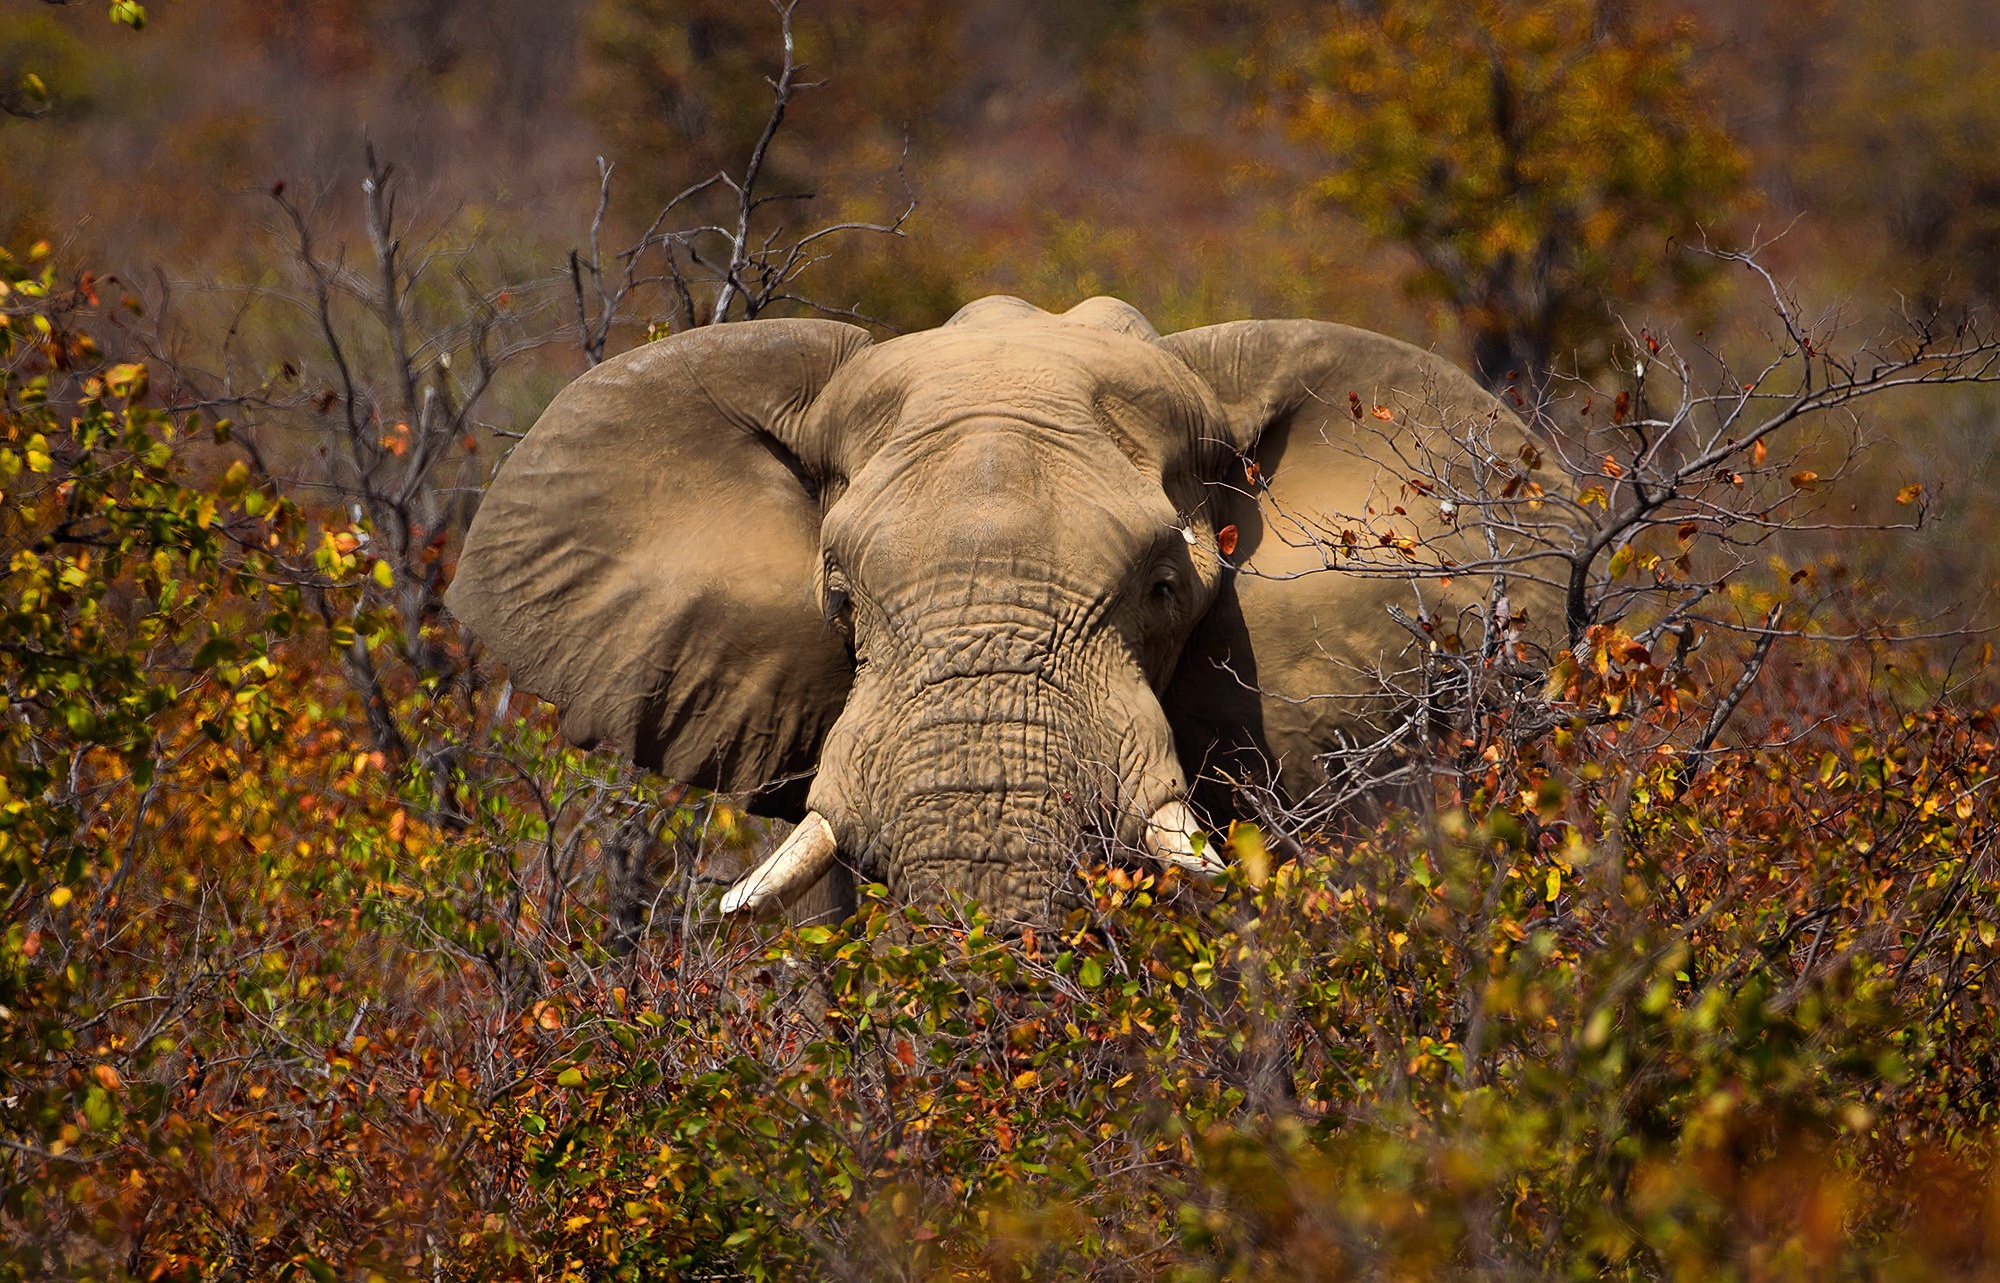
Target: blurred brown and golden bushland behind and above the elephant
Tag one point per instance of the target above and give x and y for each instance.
(1525, 187)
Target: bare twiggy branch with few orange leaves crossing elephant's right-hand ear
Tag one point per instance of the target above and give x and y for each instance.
(1641, 511)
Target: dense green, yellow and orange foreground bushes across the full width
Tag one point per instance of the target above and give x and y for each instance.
(279, 1006)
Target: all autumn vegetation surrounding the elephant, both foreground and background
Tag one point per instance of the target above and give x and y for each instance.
(325, 958)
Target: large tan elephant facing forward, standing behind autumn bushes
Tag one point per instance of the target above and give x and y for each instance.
(965, 599)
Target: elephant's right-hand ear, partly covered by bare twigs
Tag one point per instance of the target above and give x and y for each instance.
(1303, 650)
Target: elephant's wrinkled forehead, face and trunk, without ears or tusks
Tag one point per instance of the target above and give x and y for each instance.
(1019, 591)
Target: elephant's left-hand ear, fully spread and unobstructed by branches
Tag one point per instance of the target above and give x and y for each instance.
(647, 559)
